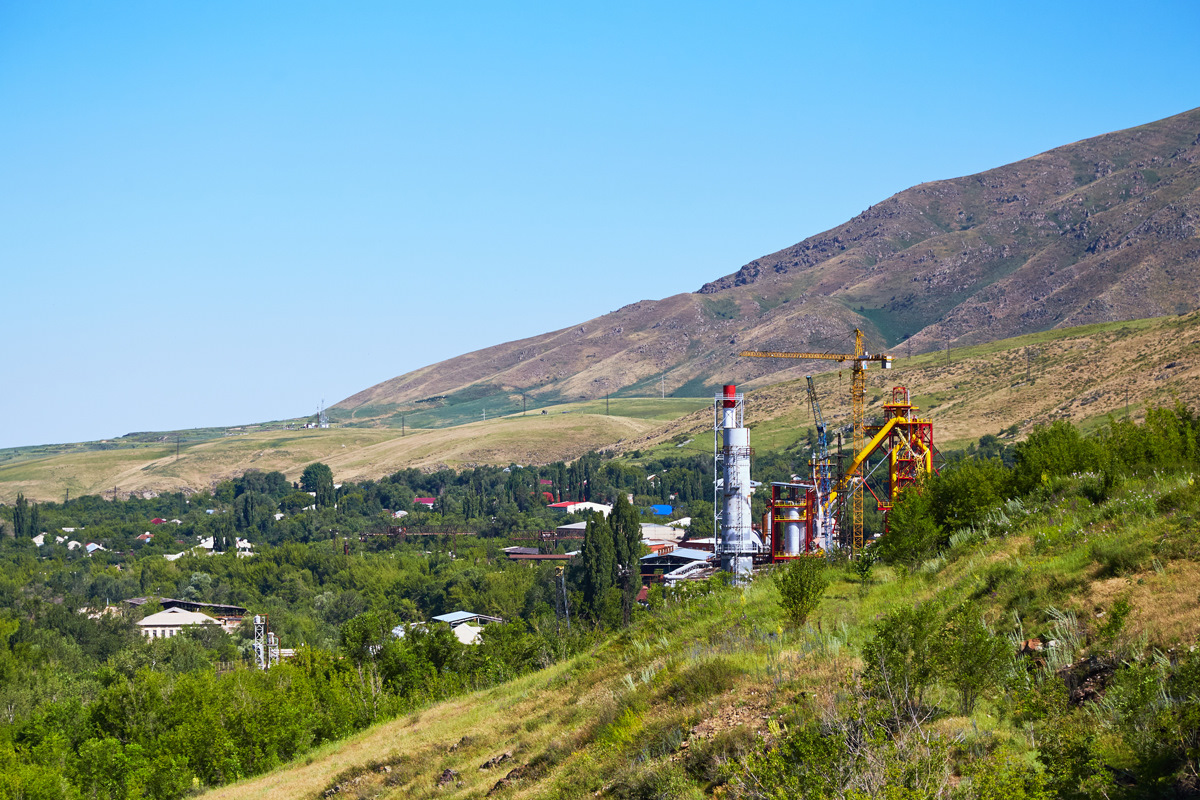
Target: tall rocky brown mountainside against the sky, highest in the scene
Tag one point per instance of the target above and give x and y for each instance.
(1099, 231)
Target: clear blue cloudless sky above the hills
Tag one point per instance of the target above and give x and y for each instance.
(223, 213)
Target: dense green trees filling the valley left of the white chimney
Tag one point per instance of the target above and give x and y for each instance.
(89, 708)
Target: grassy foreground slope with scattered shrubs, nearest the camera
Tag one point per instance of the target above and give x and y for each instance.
(687, 701)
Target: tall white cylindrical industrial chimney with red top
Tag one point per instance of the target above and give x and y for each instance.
(737, 543)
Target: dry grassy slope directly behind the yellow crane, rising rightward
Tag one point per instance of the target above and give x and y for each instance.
(1082, 375)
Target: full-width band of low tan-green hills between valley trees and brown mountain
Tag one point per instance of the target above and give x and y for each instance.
(1082, 375)
